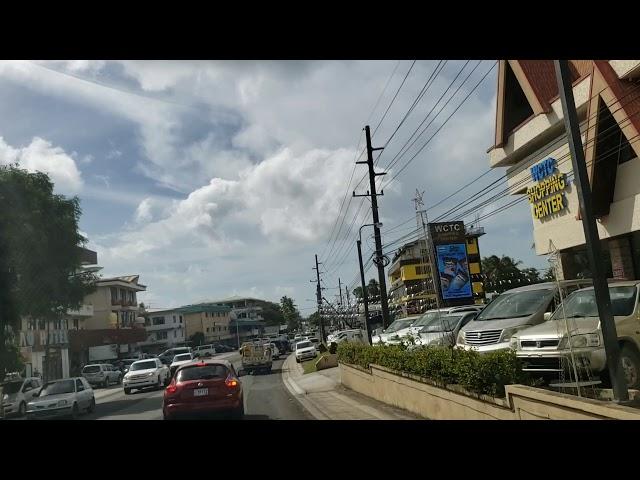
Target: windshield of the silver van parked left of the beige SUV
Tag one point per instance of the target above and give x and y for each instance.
(515, 305)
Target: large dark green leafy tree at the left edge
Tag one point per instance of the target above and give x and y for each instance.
(40, 270)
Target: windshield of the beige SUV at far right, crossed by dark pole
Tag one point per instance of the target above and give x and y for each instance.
(582, 304)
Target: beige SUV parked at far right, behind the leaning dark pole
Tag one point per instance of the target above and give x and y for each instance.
(547, 348)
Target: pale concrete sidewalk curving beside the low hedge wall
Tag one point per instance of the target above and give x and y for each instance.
(324, 397)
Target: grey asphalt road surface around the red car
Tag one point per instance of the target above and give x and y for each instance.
(265, 398)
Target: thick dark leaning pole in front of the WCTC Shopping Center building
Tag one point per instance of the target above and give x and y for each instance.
(594, 249)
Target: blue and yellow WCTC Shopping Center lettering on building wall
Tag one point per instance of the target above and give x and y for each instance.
(547, 195)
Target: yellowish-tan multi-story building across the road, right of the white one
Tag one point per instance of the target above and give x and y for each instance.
(212, 320)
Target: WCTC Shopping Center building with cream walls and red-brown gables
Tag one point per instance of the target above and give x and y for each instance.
(530, 143)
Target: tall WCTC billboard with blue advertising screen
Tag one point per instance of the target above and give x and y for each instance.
(450, 249)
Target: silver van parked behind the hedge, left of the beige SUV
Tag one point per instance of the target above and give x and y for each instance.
(512, 311)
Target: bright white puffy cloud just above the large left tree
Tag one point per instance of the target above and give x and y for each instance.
(40, 155)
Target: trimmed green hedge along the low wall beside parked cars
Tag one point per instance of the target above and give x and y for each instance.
(481, 374)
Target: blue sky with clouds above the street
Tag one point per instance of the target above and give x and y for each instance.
(217, 178)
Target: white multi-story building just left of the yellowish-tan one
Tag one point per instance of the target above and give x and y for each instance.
(165, 329)
